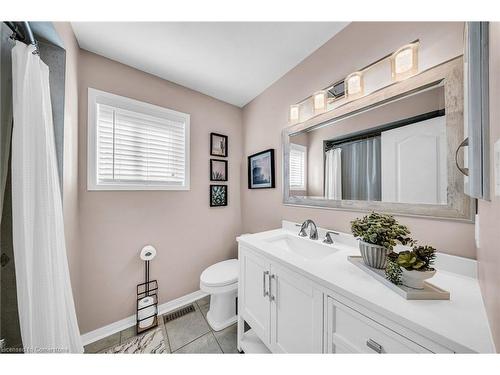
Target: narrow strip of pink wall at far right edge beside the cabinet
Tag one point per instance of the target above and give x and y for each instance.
(488, 254)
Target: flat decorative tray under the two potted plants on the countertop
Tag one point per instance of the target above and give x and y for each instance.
(429, 292)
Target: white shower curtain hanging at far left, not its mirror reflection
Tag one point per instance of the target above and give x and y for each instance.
(45, 300)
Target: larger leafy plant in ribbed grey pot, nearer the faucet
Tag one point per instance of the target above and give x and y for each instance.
(378, 234)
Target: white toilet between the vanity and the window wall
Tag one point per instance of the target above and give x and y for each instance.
(221, 282)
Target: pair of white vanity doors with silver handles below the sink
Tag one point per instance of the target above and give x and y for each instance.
(284, 309)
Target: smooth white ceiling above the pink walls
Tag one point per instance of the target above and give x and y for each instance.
(230, 61)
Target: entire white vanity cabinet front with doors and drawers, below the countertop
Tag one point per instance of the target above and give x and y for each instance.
(290, 313)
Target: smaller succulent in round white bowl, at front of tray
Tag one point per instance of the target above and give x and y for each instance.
(411, 268)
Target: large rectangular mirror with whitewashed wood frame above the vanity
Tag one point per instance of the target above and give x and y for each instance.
(393, 151)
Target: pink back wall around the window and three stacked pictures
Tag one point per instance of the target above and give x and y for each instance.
(188, 234)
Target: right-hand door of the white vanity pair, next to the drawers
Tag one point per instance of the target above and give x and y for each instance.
(296, 313)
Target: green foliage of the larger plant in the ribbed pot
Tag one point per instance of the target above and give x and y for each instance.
(382, 230)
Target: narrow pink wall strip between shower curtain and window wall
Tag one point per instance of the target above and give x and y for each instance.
(70, 165)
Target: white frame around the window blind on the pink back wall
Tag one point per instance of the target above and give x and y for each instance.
(96, 97)
